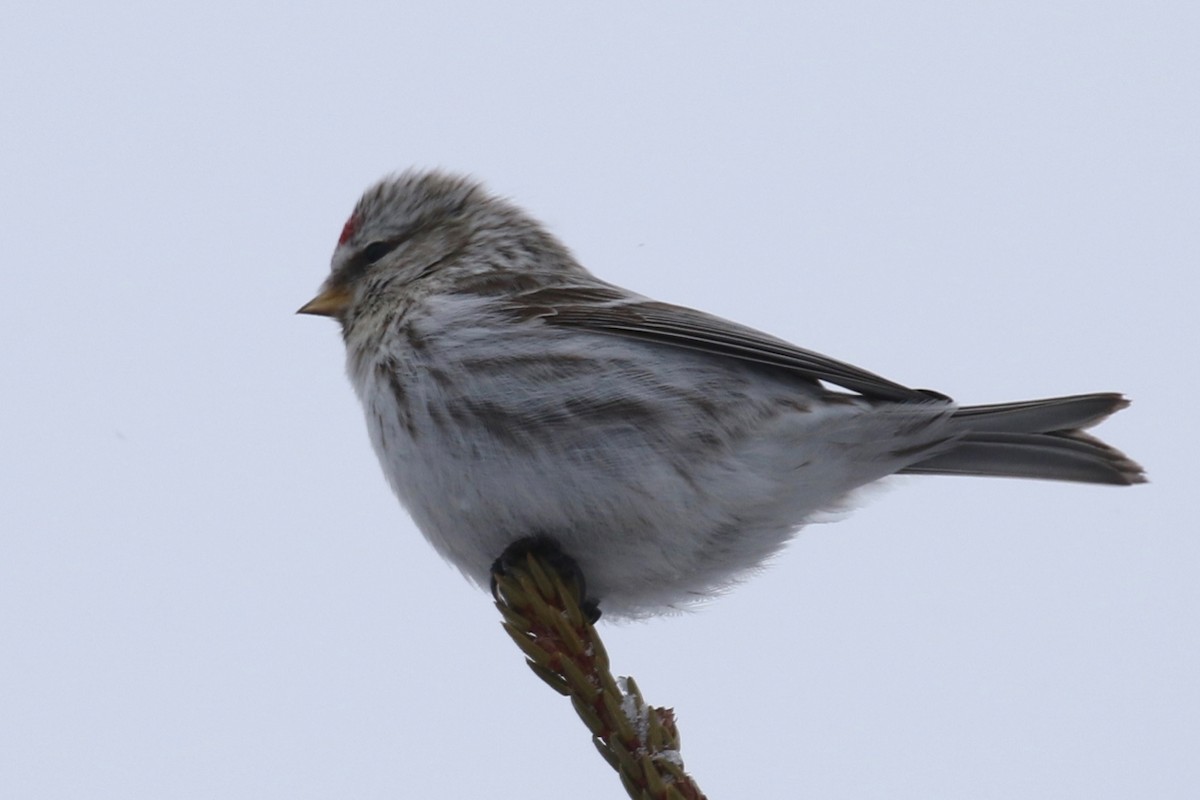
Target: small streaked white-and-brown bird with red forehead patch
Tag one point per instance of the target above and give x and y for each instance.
(515, 400)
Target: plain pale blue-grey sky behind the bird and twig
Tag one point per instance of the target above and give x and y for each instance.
(207, 591)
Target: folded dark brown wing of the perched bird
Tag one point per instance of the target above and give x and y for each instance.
(604, 310)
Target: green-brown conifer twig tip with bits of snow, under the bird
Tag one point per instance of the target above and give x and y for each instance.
(543, 615)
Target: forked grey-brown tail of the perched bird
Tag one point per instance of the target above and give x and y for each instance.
(1039, 440)
